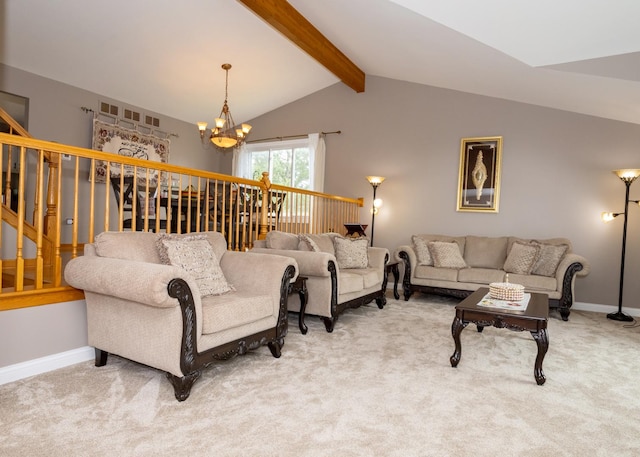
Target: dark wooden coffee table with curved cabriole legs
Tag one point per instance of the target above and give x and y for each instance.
(533, 319)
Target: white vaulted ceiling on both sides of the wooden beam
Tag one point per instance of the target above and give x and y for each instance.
(165, 56)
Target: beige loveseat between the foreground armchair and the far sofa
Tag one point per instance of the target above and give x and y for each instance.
(341, 272)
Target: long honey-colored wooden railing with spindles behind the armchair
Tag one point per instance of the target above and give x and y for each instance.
(191, 201)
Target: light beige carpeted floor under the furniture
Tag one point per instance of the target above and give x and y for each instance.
(380, 385)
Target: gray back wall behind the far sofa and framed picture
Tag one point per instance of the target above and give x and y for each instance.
(556, 169)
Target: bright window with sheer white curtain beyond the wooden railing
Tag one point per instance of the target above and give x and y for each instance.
(293, 163)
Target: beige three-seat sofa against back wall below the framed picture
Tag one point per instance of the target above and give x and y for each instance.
(433, 264)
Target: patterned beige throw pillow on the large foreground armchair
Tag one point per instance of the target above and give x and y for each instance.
(195, 255)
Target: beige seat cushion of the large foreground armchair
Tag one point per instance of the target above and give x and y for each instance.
(233, 310)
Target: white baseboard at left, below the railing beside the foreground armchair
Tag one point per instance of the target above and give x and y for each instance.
(52, 362)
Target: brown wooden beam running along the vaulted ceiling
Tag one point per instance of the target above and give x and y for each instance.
(288, 21)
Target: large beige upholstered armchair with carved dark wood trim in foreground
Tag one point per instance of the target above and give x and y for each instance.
(180, 302)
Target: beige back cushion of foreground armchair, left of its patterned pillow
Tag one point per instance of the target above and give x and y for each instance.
(140, 246)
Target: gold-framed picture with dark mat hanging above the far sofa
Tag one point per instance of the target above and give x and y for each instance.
(479, 174)
